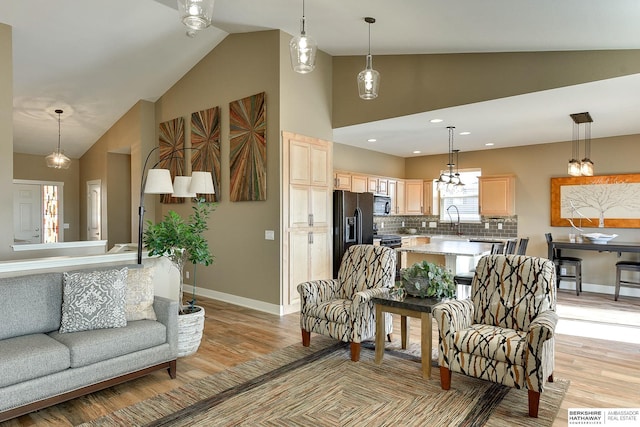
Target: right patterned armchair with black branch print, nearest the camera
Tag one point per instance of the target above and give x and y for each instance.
(504, 333)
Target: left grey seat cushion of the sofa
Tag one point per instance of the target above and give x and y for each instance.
(31, 356)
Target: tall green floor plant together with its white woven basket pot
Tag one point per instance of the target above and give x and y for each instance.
(183, 241)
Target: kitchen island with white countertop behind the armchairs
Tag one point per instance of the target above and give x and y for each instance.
(458, 256)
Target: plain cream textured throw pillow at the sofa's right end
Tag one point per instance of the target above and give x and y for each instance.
(140, 293)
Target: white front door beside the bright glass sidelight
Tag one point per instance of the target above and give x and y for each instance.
(27, 213)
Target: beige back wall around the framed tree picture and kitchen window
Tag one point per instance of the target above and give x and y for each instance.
(534, 166)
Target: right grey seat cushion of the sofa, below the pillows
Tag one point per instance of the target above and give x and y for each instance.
(89, 347)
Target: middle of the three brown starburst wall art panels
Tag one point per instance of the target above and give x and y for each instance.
(205, 138)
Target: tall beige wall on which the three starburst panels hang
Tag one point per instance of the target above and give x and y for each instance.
(242, 65)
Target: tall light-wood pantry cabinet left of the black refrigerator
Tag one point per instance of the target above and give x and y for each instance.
(307, 213)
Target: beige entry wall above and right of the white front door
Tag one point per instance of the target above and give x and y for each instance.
(28, 166)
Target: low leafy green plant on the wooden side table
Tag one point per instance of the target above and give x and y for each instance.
(426, 280)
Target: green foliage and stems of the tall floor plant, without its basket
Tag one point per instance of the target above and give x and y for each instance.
(182, 241)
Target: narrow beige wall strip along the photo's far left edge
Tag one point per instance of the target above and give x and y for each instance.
(6, 136)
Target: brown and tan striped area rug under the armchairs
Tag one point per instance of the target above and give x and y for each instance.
(321, 386)
